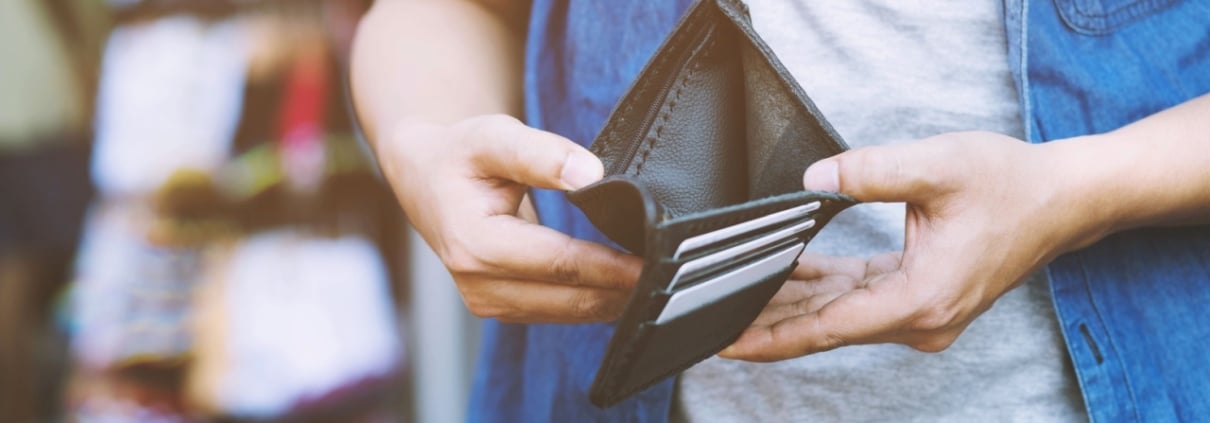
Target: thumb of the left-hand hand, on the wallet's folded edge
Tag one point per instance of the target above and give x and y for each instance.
(505, 148)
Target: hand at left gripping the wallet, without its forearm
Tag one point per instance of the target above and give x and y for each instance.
(464, 189)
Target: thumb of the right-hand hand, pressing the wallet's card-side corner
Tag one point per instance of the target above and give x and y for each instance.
(891, 173)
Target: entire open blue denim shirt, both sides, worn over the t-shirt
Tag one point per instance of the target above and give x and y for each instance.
(1131, 306)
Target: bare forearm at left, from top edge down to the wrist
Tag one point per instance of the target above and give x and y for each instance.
(439, 61)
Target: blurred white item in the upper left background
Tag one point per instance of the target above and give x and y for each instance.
(171, 96)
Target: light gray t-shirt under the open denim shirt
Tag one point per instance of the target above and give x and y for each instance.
(889, 72)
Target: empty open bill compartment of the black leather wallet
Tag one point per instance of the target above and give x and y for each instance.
(713, 121)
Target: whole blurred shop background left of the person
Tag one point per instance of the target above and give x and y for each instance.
(192, 231)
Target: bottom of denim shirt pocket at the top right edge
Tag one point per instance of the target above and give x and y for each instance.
(1102, 18)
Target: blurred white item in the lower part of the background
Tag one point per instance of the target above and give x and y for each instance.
(276, 323)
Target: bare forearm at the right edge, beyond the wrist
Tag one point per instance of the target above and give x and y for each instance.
(1155, 172)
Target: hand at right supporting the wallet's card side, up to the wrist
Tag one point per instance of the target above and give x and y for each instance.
(984, 212)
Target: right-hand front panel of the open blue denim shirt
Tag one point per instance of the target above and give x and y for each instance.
(1134, 306)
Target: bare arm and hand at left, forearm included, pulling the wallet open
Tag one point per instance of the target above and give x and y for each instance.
(463, 179)
